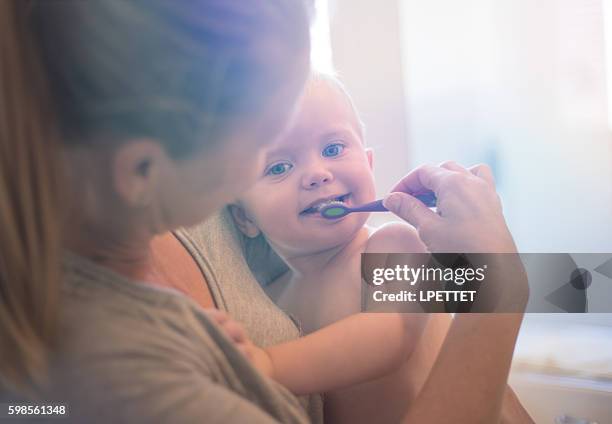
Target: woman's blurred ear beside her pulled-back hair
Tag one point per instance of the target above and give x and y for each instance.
(136, 168)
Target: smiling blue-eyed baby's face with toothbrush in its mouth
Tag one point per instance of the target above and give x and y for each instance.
(322, 157)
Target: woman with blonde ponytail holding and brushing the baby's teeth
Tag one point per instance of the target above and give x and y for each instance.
(123, 120)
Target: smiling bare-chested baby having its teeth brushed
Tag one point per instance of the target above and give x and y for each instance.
(323, 158)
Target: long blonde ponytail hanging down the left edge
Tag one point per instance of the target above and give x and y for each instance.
(29, 235)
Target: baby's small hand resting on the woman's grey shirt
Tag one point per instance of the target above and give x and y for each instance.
(236, 333)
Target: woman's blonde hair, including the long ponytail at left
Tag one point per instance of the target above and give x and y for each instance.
(182, 72)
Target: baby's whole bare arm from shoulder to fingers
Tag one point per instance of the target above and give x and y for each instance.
(354, 350)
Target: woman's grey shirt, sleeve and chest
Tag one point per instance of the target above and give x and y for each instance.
(133, 353)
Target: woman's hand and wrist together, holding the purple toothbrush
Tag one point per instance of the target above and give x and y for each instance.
(469, 219)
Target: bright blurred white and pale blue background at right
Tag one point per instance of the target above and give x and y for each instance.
(526, 87)
